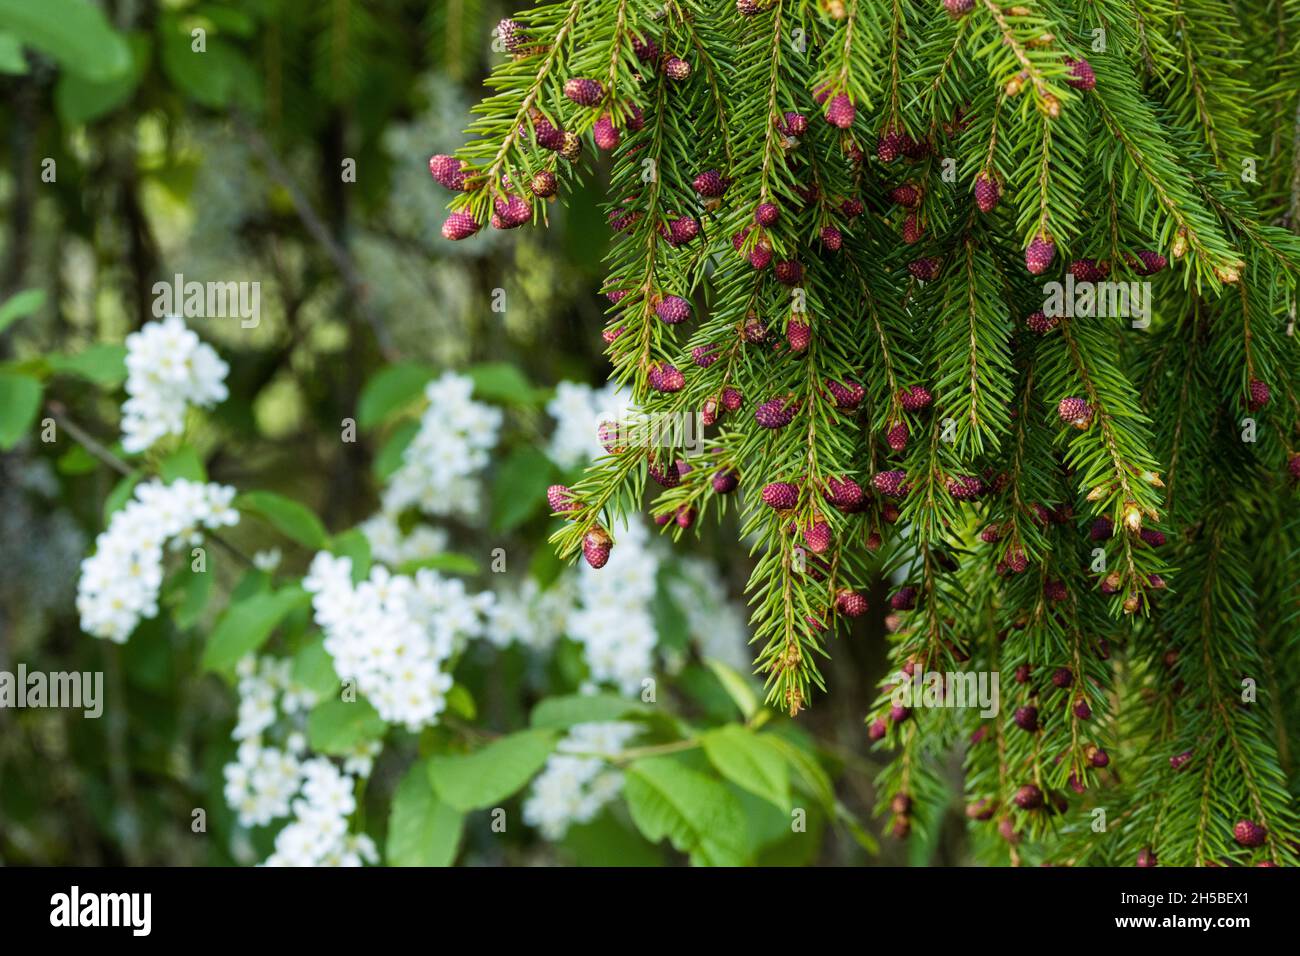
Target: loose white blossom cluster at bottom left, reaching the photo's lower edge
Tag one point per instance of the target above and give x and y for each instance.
(267, 782)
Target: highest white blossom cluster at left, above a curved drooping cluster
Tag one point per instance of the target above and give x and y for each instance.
(168, 370)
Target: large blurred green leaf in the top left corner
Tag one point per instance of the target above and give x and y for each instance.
(73, 33)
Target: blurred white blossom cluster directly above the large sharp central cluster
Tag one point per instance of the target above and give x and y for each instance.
(440, 466)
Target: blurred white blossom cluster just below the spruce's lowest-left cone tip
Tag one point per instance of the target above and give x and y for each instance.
(613, 620)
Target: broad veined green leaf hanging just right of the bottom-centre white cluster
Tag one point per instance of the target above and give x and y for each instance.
(695, 812)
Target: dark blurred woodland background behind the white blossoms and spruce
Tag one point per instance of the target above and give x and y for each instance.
(127, 161)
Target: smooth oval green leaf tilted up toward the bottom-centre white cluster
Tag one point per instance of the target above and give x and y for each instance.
(489, 776)
